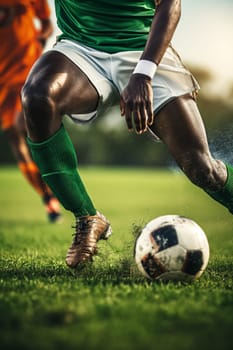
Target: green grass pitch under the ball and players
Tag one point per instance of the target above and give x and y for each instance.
(109, 305)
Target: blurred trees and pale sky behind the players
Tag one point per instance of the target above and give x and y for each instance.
(204, 40)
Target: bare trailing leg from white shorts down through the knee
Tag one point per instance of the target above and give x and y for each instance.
(180, 127)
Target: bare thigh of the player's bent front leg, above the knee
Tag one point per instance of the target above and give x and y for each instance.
(58, 78)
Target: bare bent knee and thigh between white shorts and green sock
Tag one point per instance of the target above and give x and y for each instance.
(55, 87)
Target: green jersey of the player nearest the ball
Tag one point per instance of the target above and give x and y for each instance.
(106, 25)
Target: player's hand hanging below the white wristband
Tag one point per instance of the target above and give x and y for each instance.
(136, 103)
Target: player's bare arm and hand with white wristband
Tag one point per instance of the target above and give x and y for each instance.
(136, 100)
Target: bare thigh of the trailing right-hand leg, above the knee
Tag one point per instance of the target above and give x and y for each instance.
(179, 125)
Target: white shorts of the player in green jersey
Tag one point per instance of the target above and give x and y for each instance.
(110, 73)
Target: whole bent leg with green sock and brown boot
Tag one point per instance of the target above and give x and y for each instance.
(56, 87)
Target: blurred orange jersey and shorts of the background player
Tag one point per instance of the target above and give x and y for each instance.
(19, 49)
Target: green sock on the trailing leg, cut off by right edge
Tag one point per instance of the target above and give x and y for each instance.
(225, 194)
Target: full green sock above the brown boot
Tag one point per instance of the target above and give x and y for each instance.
(56, 159)
